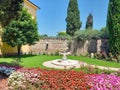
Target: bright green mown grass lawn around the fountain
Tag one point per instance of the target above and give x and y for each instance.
(36, 61)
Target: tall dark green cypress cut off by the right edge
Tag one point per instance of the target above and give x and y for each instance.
(113, 25)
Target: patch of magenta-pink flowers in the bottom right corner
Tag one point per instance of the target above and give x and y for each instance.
(104, 82)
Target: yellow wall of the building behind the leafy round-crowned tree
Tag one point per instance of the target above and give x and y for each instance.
(5, 48)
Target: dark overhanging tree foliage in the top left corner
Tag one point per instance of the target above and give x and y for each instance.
(9, 9)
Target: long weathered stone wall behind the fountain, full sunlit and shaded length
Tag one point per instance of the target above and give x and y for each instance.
(51, 46)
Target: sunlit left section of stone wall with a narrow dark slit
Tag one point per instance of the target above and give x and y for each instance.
(49, 46)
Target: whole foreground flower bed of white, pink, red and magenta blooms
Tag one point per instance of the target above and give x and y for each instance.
(36, 78)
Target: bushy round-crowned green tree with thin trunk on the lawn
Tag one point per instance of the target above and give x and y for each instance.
(21, 32)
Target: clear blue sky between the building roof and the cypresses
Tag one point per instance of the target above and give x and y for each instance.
(52, 14)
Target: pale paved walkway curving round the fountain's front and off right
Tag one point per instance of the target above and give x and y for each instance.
(78, 65)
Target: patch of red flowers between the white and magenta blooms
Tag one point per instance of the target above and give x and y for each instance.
(64, 80)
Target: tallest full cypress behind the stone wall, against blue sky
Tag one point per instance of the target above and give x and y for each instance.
(73, 18)
